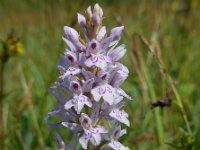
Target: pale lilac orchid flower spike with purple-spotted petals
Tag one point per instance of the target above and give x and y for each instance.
(88, 91)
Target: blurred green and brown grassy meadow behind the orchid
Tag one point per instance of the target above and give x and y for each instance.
(170, 26)
